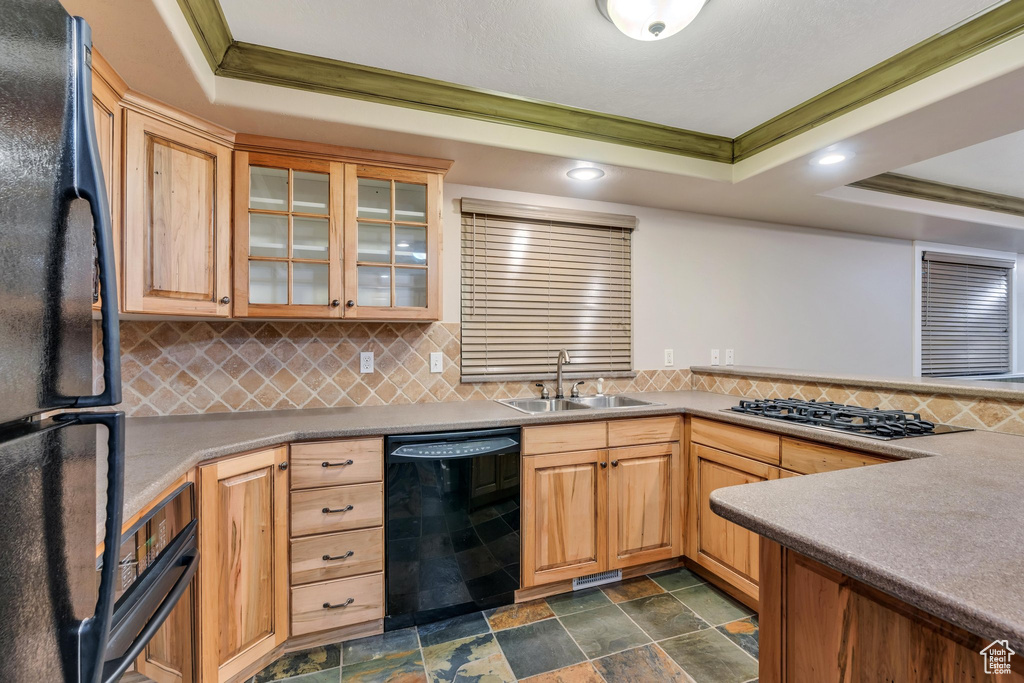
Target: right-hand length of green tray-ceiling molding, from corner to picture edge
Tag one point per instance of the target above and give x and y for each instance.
(919, 62)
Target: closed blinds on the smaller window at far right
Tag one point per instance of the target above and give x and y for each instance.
(965, 316)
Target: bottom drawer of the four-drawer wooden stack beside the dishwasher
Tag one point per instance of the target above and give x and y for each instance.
(311, 616)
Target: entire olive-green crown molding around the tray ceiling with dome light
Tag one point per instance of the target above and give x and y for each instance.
(275, 67)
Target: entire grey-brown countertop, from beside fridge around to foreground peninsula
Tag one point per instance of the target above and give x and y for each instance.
(945, 548)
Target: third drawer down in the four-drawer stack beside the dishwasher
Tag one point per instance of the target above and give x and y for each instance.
(351, 553)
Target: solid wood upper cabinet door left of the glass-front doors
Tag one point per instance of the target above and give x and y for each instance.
(178, 225)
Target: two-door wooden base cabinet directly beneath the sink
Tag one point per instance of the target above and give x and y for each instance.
(603, 508)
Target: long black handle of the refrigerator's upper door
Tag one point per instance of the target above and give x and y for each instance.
(88, 184)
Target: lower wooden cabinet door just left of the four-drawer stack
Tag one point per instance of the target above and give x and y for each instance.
(244, 568)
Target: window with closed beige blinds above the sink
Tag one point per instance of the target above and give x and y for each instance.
(536, 280)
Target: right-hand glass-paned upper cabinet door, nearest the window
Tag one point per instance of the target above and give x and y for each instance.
(393, 241)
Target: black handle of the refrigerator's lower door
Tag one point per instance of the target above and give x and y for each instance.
(93, 632)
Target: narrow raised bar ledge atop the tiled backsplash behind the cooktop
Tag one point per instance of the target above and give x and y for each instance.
(977, 389)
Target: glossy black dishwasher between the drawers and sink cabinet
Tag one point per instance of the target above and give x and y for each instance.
(453, 525)
